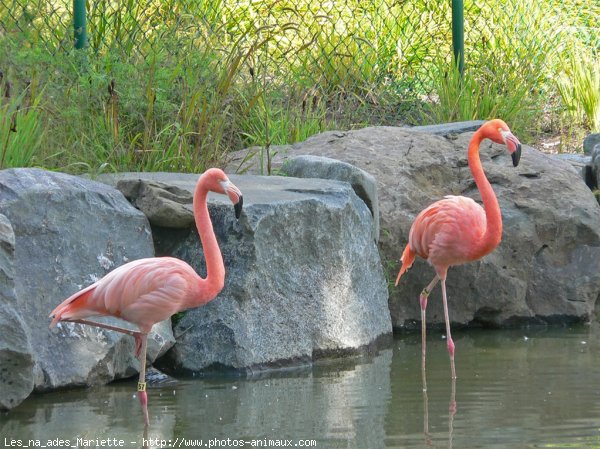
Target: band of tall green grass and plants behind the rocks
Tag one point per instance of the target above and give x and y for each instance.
(176, 85)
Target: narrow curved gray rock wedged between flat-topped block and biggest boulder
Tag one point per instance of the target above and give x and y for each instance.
(364, 185)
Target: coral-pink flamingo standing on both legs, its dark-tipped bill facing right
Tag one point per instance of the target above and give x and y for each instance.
(457, 230)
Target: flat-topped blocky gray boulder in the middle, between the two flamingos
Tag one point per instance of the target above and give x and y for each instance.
(304, 277)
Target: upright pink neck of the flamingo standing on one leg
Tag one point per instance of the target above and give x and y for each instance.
(215, 268)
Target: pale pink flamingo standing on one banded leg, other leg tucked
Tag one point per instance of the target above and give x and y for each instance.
(147, 291)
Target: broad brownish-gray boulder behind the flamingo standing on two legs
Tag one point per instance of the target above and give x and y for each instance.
(547, 267)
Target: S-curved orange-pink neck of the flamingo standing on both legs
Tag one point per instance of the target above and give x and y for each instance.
(493, 232)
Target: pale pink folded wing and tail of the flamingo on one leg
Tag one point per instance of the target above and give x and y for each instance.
(142, 292)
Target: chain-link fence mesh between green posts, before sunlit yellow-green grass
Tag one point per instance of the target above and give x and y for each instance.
(346, 46)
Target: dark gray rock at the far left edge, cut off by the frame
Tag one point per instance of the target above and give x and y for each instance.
(16, 361)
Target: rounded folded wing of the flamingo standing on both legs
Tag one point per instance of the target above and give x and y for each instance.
(446, 232)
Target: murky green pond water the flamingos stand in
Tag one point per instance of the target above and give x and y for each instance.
(529, 388)
